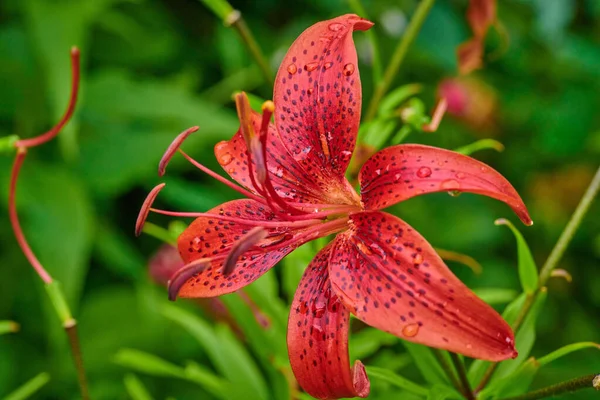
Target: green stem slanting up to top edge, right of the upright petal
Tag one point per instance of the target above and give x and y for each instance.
(409, 36)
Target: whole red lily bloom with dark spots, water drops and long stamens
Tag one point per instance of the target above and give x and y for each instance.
(378, 268)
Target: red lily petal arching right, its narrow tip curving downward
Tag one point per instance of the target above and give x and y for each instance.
(400, 172)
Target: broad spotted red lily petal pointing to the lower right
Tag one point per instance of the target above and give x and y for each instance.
(390, 277)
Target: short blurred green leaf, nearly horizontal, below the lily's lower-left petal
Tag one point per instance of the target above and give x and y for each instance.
(147, 363)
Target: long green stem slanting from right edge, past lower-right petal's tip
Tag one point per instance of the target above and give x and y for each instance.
(552, 261)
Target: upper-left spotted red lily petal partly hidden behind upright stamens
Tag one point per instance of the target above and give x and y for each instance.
(288, 177)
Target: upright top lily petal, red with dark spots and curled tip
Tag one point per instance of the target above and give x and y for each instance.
(318, 98)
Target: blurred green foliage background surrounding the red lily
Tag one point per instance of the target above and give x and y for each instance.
(151, 69)
